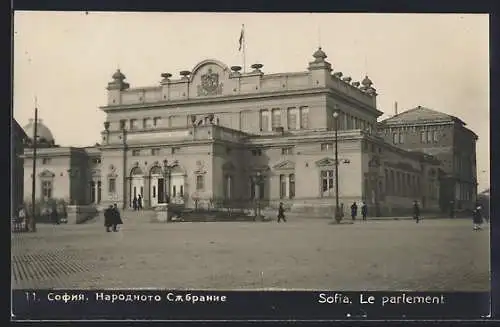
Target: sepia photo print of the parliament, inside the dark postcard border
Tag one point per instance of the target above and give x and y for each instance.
(250, 151)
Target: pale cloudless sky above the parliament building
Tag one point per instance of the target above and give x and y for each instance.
(66, 59)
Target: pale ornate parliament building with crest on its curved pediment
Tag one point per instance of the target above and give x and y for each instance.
(217, 134)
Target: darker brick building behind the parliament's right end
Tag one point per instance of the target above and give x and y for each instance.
(446, 138)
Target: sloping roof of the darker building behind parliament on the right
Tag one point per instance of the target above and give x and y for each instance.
(420, 115)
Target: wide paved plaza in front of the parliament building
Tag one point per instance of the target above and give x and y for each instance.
(438, 254)
